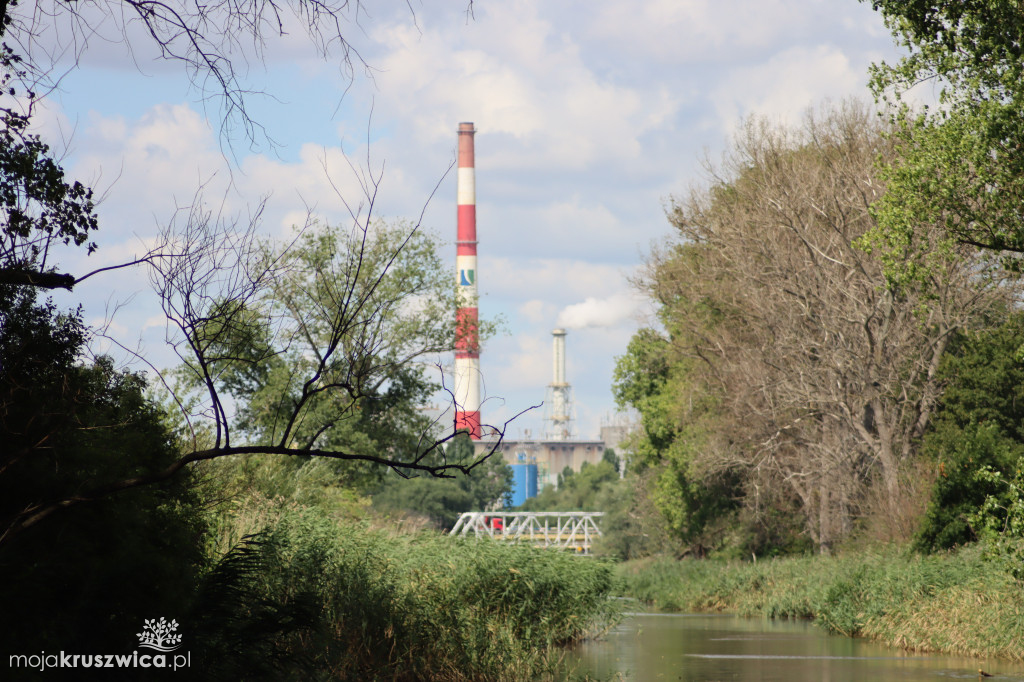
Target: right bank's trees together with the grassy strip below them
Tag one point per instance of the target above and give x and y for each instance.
(833, 429)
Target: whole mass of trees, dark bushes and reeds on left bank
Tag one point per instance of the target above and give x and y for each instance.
(231, 497)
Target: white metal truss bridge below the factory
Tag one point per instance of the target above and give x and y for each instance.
(571, 531)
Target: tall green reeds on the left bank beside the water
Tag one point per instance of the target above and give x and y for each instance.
(413, 608)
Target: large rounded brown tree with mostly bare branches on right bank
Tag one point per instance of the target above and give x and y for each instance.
(793, 385)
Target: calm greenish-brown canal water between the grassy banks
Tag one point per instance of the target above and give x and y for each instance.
(650, 648)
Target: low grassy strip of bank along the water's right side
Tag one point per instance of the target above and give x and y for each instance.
(959, 603)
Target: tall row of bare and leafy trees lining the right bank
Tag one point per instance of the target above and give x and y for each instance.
(838, 348)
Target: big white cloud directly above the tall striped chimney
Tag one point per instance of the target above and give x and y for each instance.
(525, 84)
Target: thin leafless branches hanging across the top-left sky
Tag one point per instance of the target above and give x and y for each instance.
(217, 42)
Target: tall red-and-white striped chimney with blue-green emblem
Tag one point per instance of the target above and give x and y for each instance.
(467, 342)
